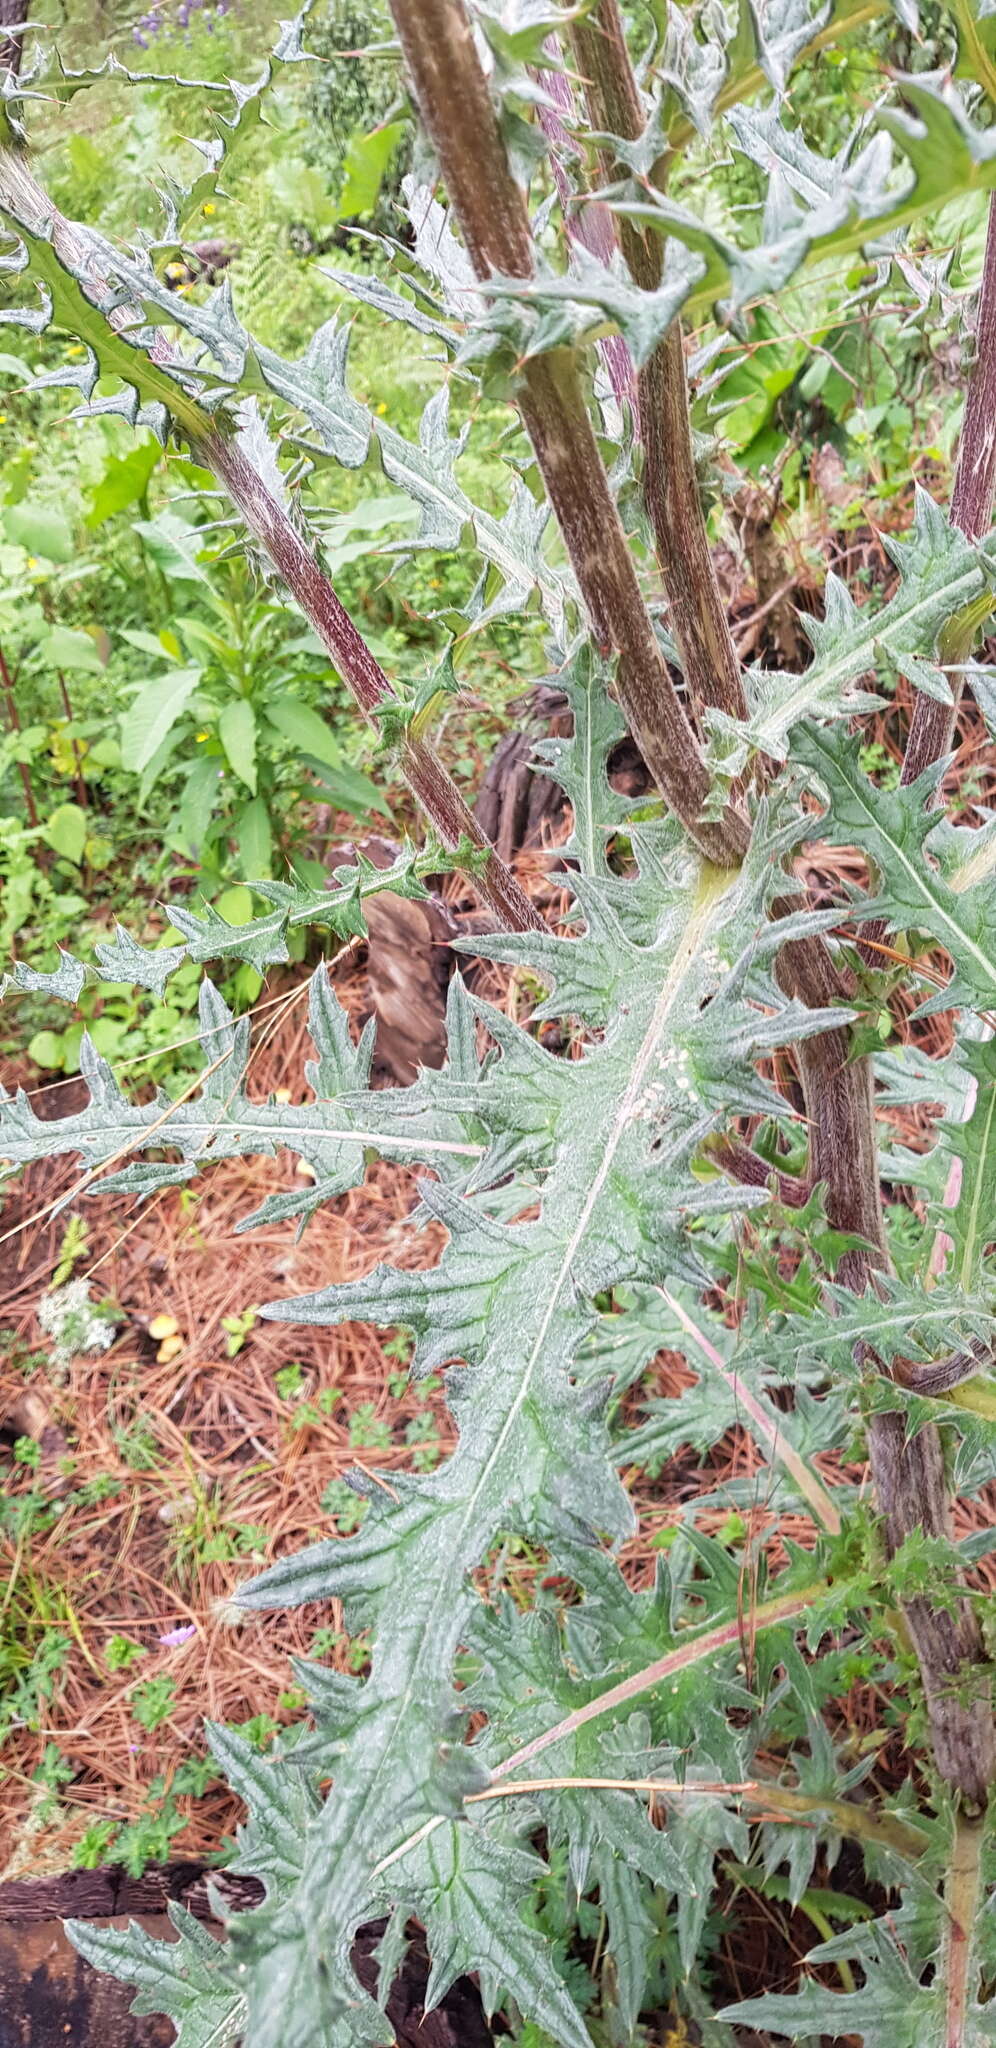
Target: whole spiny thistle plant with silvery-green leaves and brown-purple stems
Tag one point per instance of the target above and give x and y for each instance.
(620, 1742)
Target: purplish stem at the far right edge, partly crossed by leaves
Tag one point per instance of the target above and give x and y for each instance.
(933, 726)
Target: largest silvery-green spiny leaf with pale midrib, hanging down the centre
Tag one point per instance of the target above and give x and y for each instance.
(513, 1299)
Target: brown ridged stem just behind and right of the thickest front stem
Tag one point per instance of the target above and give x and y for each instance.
(671, 486)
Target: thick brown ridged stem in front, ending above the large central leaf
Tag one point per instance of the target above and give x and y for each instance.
(464, 130)
